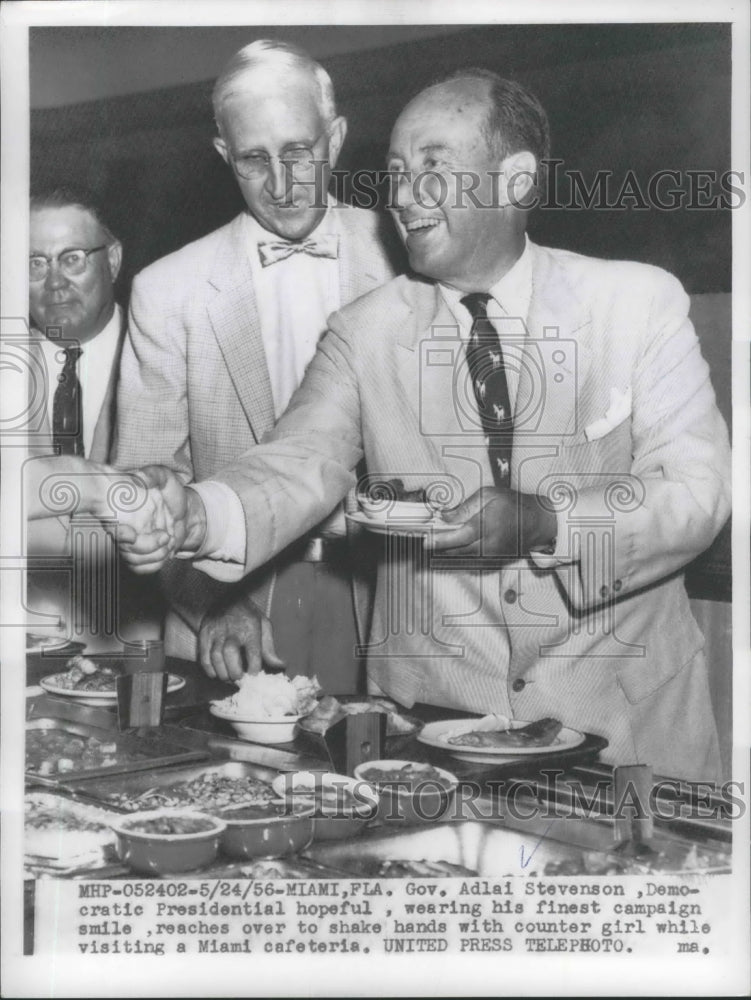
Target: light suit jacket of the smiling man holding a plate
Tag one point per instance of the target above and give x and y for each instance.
(616, 423)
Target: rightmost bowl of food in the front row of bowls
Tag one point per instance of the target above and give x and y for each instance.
(409, 792)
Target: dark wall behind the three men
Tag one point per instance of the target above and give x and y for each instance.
(620, 97)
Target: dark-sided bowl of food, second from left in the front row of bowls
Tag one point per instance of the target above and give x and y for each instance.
(268, 829)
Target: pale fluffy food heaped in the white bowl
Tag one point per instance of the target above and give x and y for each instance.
(270, 696)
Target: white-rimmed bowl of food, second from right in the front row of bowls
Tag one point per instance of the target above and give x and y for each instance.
(343, 806)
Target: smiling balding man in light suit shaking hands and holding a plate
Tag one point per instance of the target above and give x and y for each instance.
(555, 586)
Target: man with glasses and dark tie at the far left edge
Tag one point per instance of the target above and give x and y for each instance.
(76, 338)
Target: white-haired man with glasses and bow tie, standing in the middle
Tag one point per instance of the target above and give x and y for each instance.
(219, 336)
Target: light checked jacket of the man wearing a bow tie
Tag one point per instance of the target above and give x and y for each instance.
(194, 385)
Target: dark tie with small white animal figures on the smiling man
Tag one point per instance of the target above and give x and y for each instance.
(488, 374)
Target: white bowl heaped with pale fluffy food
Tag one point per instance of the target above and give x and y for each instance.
(266, 707)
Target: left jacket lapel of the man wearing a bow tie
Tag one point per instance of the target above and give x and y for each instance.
(234, 319)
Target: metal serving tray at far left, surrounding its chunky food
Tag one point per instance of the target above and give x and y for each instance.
(149, 751)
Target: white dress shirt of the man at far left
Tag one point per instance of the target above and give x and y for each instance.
(94, 370)
